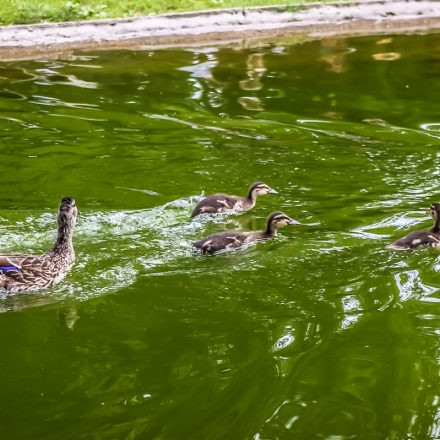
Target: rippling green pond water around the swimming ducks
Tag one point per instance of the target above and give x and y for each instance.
(321, 333)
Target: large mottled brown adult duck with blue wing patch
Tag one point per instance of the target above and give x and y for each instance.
(27, 273)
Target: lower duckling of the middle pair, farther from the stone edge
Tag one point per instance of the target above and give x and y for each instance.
(234, 239)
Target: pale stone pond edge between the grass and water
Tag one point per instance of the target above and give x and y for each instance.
(313, 20)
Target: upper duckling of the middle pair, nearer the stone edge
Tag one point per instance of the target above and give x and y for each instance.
(225, 203)
